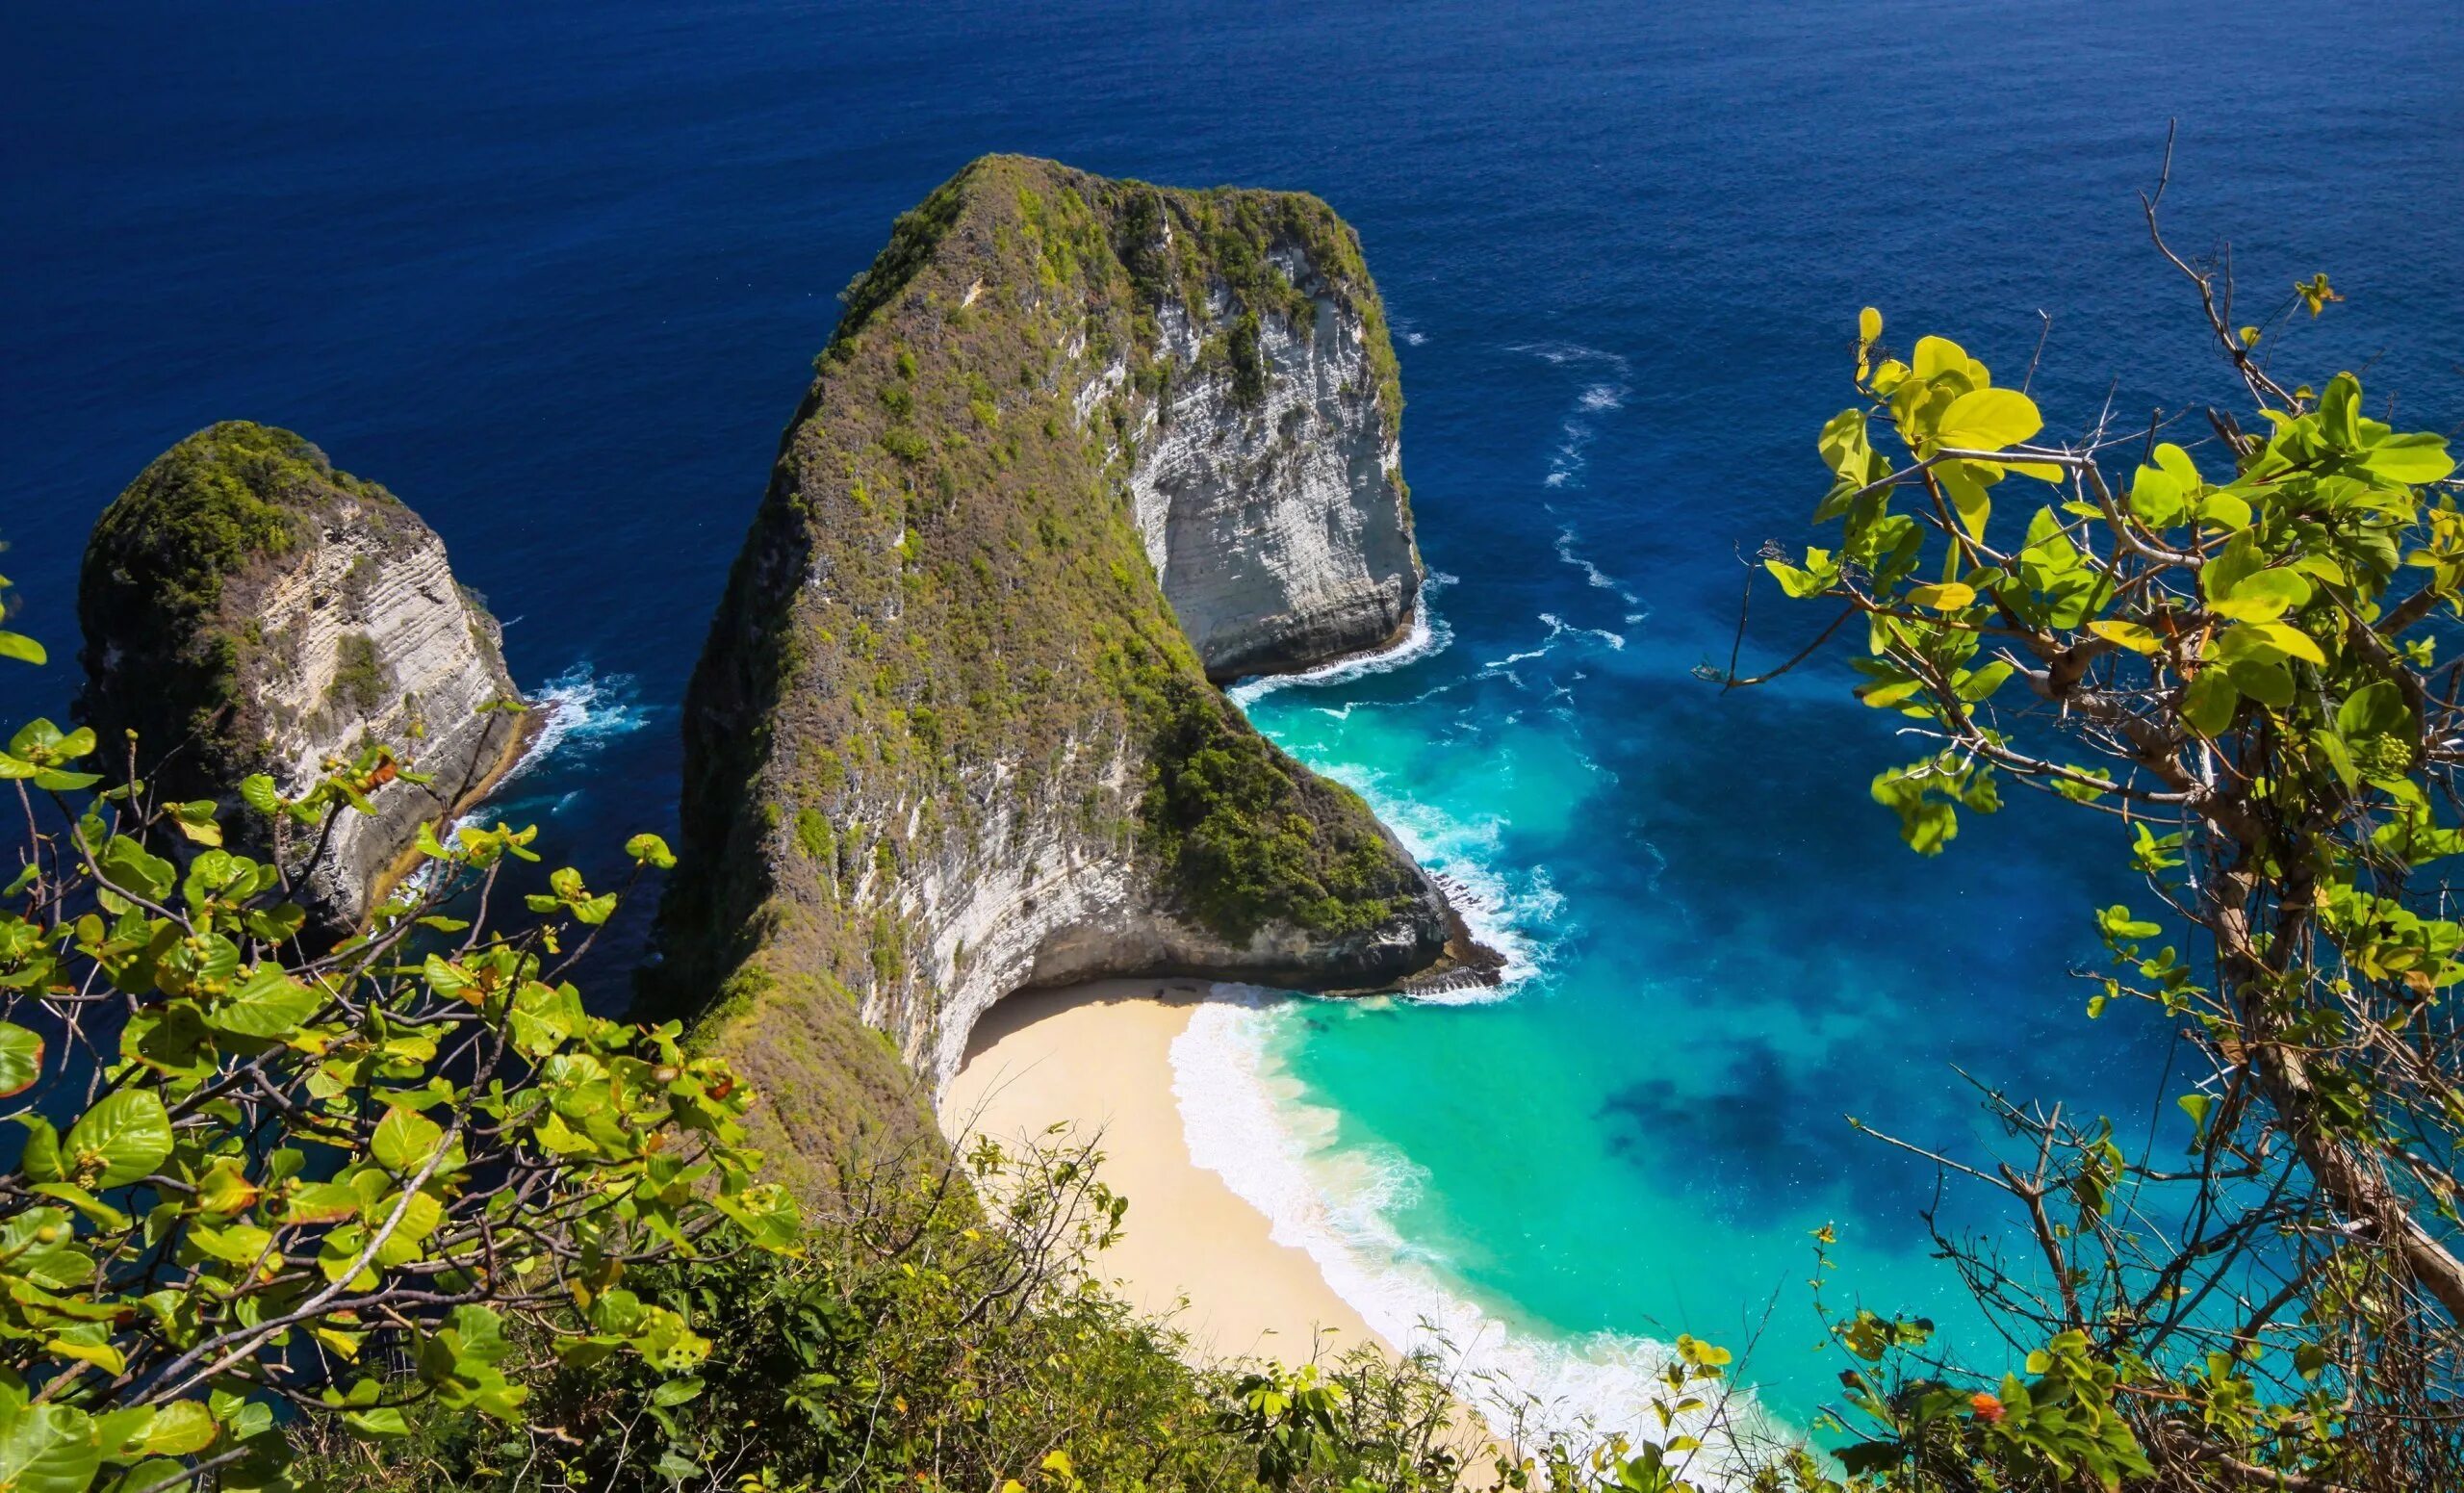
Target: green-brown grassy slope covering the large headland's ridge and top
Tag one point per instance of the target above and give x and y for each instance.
(942, 578)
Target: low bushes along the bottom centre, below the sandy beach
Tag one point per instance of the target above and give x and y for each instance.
(952, 1332)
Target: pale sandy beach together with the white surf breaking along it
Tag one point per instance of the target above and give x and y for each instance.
(1201, 1255)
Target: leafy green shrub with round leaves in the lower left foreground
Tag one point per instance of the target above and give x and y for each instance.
(260, 1184)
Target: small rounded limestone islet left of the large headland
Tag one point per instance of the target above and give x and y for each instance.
(248, 610)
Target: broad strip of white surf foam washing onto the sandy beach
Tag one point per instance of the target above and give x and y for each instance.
(1250, 1122)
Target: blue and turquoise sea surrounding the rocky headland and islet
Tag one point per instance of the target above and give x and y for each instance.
(556, 275)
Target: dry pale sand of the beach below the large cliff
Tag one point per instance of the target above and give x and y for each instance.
(1100, 1058)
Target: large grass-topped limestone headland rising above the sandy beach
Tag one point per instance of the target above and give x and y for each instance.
(1076, 447)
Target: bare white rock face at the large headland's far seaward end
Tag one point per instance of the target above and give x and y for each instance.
(1280, 533)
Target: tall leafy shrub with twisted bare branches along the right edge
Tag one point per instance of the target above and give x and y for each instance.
(2221, 632)
